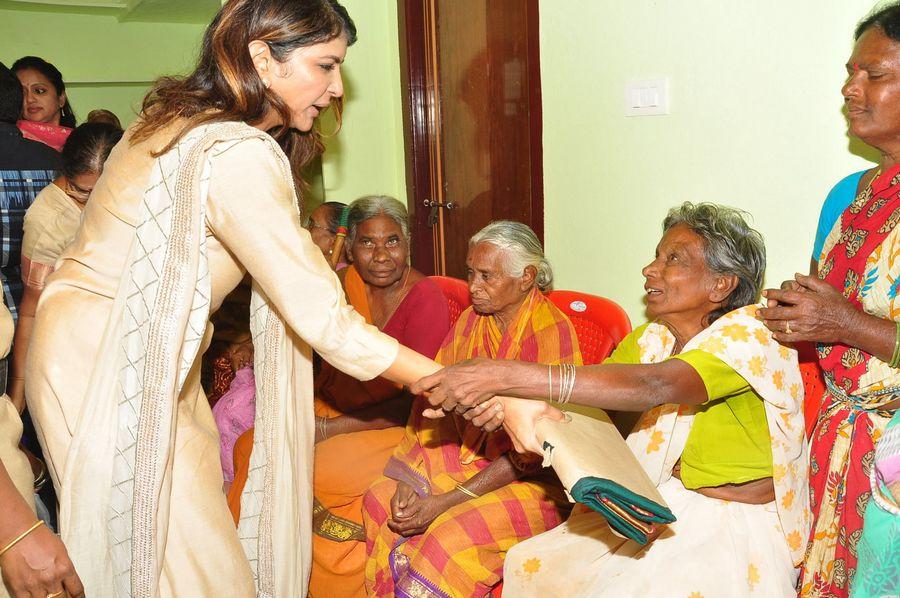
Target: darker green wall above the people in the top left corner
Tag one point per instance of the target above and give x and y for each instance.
(105, 63)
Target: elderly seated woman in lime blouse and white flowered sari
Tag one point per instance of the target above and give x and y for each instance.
(722, 435)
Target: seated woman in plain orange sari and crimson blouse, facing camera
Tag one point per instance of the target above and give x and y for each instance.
(361, 423)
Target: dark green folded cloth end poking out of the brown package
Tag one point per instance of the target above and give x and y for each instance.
(632, 515)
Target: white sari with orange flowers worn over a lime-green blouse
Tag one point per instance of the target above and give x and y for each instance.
(716, 547)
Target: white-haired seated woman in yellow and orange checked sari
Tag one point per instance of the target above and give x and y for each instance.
(453, 499)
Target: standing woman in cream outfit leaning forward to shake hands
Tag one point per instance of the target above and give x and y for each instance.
(199, 192)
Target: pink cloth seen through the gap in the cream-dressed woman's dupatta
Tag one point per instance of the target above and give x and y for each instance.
(234, 414)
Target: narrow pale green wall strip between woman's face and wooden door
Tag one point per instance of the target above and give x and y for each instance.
(366, 157)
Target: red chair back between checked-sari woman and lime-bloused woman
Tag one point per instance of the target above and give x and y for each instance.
(599, 322)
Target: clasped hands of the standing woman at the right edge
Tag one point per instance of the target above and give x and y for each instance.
(807, 309)
